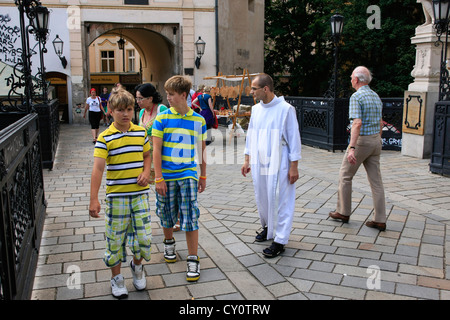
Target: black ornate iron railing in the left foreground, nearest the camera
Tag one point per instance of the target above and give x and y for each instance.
(22, 203)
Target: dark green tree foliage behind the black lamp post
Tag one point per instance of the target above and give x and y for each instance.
(299, 51)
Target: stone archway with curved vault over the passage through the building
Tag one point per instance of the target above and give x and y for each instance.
(159, 46)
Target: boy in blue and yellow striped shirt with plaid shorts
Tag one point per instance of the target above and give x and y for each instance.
(179, 136)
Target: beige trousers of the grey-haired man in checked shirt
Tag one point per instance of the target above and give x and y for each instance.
(367, 152)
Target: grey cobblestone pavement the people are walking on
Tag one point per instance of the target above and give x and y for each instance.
(324, 259)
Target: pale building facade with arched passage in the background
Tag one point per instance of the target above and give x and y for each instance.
(160, 33)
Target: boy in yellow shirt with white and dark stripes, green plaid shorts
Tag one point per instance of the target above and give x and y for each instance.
(125, 151)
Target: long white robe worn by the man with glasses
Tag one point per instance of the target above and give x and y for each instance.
(273, 141)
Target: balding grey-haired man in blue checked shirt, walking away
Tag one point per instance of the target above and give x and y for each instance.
(365, 114)
